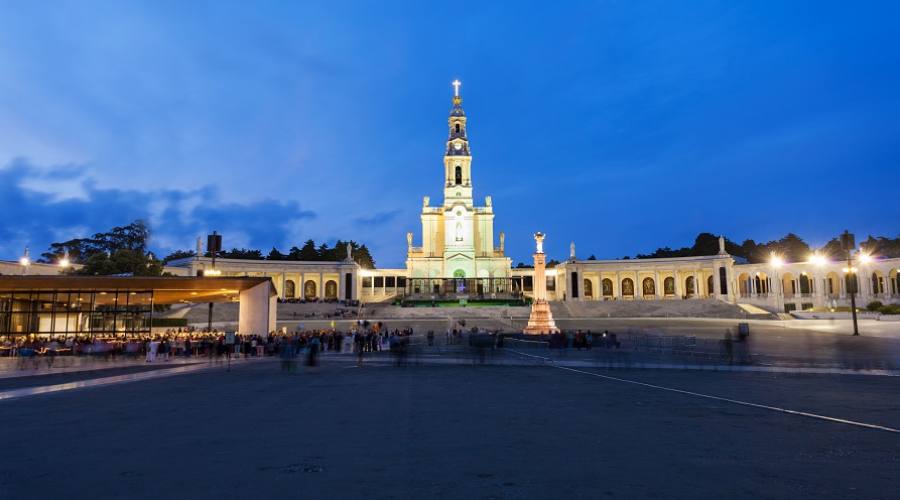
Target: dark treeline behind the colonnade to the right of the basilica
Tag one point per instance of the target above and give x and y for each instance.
(791, 248)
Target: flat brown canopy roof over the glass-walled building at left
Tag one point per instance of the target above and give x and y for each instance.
(166, 289)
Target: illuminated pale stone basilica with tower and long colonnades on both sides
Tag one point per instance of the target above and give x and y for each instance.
(458, 258)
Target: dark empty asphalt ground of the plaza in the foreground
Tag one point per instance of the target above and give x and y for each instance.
(455, 431)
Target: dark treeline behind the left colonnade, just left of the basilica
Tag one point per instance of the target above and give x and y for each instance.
(309, 252)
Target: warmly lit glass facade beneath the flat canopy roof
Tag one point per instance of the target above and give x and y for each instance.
(73, 312)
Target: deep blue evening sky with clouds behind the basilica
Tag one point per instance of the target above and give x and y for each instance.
(622, 125)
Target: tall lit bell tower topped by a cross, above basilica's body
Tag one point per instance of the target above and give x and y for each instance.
(457, 157)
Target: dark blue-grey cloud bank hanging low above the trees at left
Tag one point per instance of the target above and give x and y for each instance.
(43, 205)
